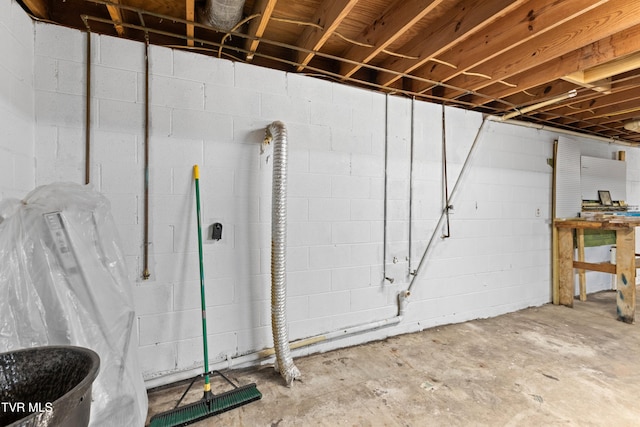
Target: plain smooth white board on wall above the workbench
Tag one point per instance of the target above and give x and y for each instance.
(602, 174)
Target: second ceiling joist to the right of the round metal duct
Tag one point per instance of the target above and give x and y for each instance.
(329, 16)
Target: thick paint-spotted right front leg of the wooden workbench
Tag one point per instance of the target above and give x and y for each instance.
(626, 274)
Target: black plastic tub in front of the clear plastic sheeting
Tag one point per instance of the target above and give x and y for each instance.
(47, 386)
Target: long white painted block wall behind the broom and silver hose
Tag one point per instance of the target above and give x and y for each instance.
(213, 112)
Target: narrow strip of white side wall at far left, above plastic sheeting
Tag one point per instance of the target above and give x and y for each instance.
(17, 154)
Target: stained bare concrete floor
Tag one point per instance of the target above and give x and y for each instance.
(541, 366)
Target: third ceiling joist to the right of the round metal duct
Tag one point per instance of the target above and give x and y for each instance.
(385, 30)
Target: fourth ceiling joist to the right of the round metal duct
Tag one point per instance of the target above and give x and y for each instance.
(459, 23)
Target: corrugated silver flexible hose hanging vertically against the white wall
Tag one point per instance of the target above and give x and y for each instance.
(277, 132)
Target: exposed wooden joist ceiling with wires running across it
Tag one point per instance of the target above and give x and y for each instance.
(572, 64)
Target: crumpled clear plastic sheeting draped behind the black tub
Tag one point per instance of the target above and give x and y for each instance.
(63, 281)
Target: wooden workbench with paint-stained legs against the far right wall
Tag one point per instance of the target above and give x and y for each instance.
(624, 268)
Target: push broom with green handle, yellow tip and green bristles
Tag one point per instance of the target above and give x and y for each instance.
(210, 404)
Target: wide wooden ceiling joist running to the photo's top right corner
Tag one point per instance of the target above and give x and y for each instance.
(604, 21)
